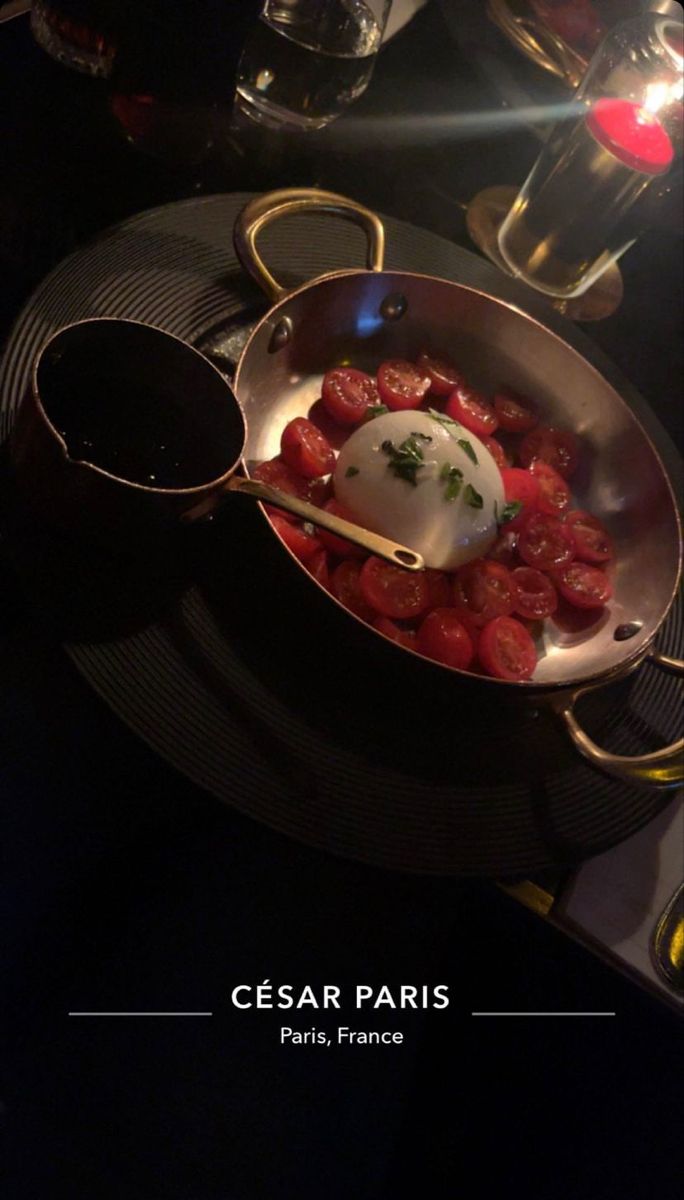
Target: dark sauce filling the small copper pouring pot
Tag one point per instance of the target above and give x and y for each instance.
(141, 434)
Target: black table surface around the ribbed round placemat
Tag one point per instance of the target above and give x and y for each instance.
(127, 889)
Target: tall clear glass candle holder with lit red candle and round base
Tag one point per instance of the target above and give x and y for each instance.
(597, 183)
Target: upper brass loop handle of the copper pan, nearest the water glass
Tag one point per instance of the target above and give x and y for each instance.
(265, 209)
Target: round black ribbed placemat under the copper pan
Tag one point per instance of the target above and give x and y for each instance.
(271, 699)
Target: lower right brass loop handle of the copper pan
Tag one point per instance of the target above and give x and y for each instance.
(662, 769)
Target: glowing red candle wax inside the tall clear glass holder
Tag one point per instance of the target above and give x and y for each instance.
(633, 135)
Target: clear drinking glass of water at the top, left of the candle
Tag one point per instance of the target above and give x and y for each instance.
(305, 62)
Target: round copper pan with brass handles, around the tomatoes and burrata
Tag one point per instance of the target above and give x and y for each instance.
(364, 316)
